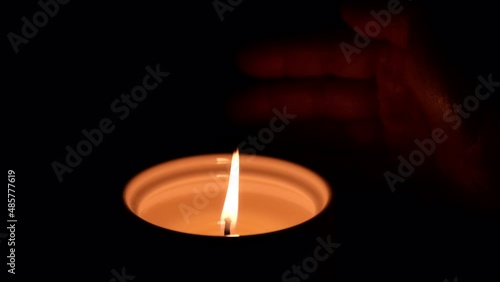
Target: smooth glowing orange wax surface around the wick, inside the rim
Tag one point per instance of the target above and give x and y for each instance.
(262, 210)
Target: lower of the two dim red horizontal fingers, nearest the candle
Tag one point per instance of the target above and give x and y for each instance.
(334, 99)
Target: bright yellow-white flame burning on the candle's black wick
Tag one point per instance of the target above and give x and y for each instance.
(230, 209)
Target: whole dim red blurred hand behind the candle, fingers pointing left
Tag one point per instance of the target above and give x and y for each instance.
(389, 91)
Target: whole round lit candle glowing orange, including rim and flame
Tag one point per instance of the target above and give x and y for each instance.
(224, 194)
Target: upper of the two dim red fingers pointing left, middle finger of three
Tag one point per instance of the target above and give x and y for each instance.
(307, 57)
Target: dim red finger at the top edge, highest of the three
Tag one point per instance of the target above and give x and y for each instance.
(386, 20)
